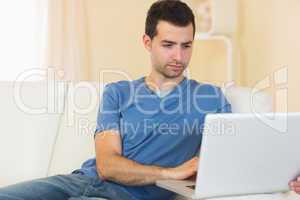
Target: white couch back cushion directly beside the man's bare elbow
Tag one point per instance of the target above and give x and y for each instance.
(75, 141)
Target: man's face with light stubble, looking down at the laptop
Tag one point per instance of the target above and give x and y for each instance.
(170, 49)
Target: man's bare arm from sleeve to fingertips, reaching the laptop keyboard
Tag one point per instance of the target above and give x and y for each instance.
(111, 165)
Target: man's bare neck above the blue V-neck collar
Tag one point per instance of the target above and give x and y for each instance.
(158, 82)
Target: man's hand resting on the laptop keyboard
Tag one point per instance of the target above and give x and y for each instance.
(183, 171)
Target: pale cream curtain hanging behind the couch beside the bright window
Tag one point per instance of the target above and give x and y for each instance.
(67, 51)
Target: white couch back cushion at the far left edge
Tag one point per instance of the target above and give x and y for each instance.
(28, 129)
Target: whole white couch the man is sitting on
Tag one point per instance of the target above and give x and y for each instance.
(47, 127)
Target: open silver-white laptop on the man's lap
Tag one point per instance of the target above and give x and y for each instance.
(244, 154)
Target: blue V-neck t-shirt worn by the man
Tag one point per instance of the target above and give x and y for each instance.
(156, 131)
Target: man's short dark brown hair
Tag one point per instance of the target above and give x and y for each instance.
(173, 11)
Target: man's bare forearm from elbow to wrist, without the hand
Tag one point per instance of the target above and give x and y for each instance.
(122, 170)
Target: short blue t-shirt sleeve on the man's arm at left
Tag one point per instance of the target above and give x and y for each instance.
(108, 117)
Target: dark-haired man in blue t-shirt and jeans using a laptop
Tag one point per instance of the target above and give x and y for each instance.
(147, 129)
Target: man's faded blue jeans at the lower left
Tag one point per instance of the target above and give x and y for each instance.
(65, 187)
